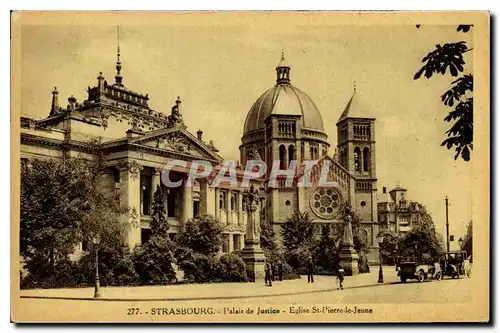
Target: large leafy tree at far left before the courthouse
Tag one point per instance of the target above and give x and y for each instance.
(49, 220)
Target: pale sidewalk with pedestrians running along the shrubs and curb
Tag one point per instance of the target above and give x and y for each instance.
(213, 291)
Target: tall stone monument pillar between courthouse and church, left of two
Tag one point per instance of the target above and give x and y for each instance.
(252, 254)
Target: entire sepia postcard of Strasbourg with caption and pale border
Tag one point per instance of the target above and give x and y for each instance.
(323, 167)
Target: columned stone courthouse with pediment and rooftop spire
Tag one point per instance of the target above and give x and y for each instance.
(137, 143)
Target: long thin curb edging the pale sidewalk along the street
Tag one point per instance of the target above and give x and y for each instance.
(181, 299)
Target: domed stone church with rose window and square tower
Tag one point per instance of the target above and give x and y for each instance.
(284, 124)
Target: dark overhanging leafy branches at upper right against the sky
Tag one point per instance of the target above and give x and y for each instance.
(450, 57)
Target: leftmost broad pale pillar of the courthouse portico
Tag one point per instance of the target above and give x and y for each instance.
(130, 195)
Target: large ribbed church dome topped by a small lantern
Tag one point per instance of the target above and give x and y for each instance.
(283, 99)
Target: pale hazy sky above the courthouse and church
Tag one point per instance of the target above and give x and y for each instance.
(219, 69)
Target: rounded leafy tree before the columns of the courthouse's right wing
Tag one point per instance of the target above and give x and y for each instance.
(202, 235)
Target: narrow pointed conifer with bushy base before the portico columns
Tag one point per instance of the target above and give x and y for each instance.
(153, 260)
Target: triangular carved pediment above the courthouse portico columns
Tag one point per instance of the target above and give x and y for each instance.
(177, 141)
